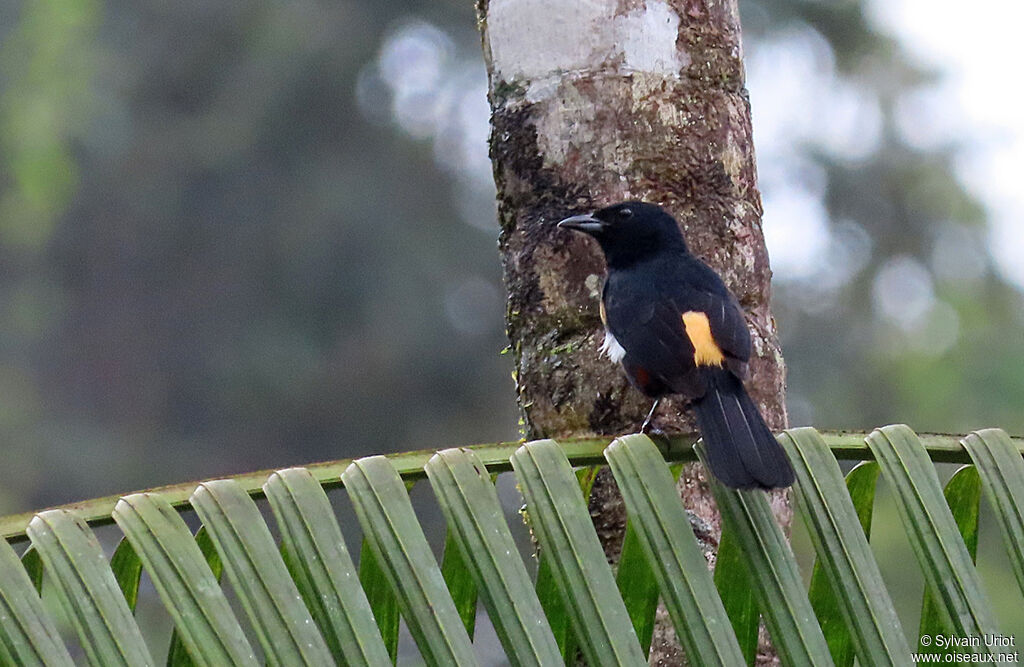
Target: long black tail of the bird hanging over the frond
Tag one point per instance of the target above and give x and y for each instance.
(742, 451)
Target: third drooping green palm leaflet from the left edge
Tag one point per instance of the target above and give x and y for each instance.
(202, 616)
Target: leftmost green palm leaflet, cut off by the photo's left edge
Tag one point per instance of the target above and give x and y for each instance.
(28, 636)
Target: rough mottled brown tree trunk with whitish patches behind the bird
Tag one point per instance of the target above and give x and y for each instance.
(601, 101)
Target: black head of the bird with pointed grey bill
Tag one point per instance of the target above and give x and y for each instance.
(629, 232)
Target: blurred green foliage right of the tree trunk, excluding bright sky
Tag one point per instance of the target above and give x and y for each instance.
(958, 367)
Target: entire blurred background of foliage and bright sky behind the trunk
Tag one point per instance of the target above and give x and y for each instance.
(237, 235)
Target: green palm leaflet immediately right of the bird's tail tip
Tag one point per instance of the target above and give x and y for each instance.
(844, 556)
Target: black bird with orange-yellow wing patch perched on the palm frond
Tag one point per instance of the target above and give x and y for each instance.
(677, 329)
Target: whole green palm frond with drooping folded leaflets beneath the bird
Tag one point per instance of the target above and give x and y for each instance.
(302, 600)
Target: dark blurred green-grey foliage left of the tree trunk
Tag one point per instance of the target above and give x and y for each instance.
(212, 262)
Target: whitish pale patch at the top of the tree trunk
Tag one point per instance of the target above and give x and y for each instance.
(531, 41)
